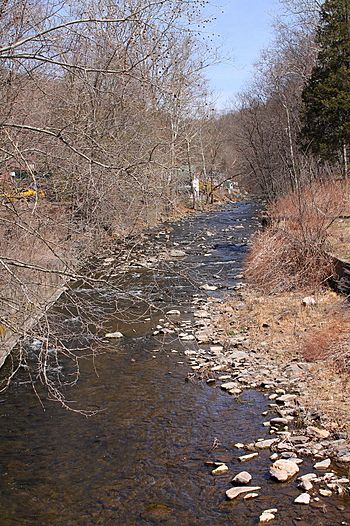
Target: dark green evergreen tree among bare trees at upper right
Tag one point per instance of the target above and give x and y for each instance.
(326, 96)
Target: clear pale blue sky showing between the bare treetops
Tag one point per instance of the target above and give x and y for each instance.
(242, 29)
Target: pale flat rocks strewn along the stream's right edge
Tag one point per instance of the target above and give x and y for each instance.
(298, 430)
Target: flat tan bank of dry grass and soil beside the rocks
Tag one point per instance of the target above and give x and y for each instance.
(310, 334)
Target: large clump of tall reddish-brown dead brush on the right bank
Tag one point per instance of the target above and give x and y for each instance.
(292, 253)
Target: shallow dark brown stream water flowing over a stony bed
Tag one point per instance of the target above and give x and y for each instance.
(141, 459)
